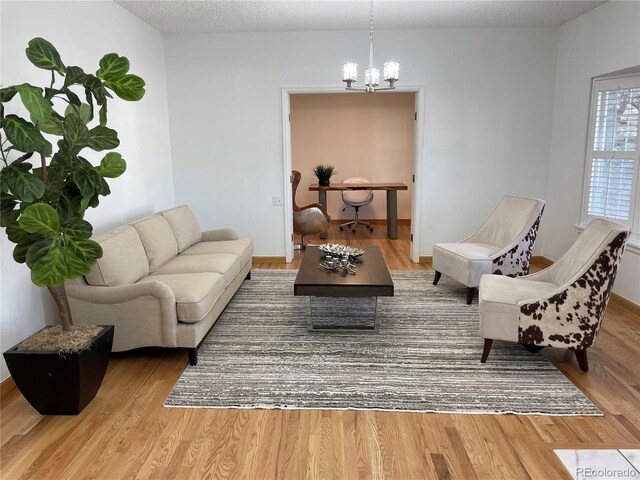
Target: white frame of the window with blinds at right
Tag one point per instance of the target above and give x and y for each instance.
(600, 84)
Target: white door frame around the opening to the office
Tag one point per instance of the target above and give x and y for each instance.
(418, 136)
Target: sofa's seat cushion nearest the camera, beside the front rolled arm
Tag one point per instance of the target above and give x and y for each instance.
(195, 293)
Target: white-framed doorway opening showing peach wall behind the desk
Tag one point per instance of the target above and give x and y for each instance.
(378, 137)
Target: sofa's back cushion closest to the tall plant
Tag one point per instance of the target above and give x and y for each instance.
(123, 259)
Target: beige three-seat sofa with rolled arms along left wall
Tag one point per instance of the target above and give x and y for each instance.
(161, 281)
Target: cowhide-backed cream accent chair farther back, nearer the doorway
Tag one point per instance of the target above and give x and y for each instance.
(502, 245)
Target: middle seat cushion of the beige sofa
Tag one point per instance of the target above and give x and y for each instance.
(226, 264)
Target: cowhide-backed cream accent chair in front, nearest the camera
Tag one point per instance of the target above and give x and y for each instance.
(561, 306)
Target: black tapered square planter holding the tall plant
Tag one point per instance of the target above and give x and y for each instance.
(61, 384)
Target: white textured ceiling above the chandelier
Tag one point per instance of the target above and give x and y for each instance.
(191, 16)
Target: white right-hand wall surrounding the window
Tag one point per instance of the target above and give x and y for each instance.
(601, 41)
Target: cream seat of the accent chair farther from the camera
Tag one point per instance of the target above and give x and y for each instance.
(464, 262)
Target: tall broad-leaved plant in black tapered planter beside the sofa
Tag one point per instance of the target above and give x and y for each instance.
(59, 369)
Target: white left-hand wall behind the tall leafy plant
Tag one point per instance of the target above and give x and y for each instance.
(82, 32)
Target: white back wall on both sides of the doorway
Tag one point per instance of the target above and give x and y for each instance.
(489, 100)
